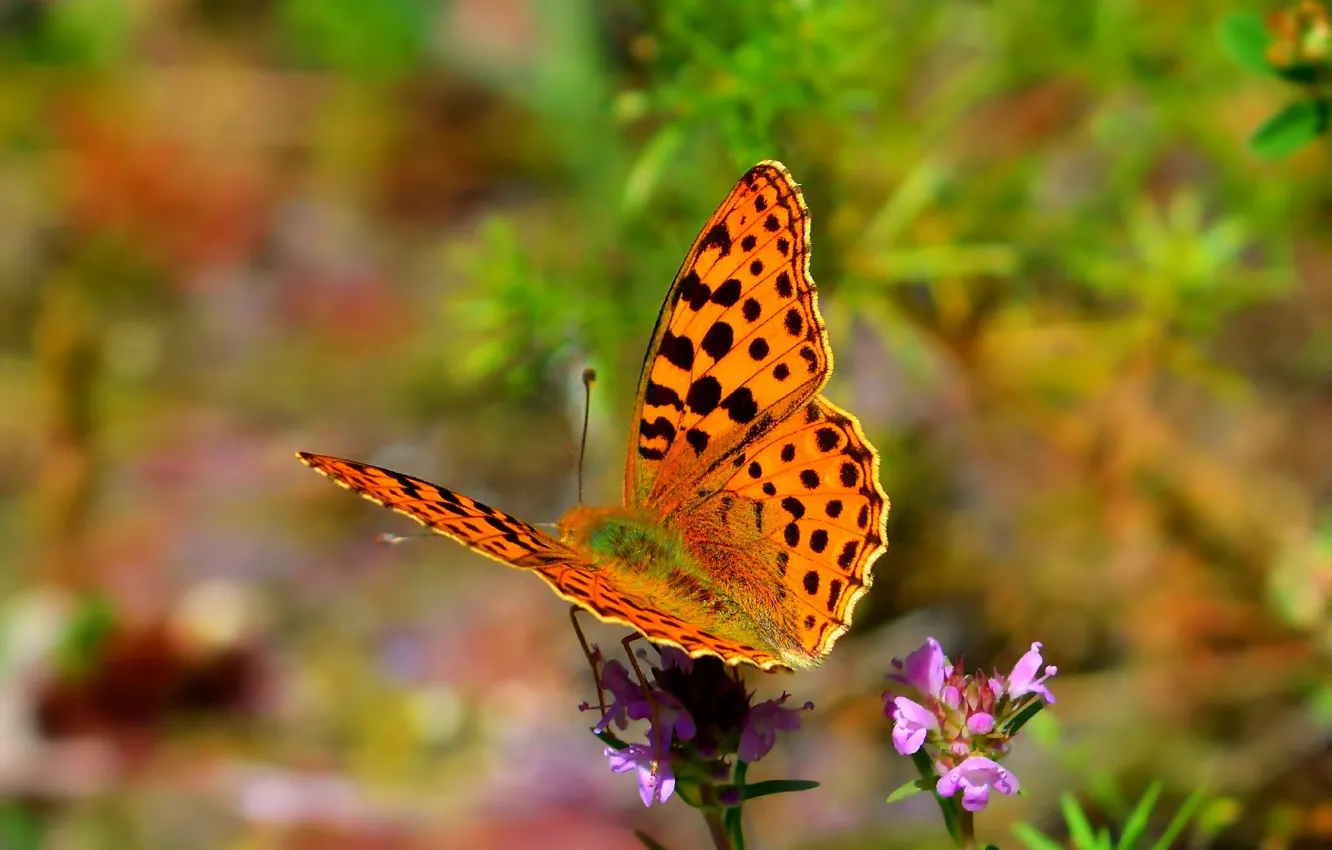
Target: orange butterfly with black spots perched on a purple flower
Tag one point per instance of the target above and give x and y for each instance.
(753, 511)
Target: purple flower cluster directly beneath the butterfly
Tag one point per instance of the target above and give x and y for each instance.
(700, 717)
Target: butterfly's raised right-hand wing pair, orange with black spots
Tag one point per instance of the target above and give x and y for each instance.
(732, 439)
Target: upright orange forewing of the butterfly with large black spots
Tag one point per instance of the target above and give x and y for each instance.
(740, 342)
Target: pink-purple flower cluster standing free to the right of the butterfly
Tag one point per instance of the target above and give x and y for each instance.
(966, 720)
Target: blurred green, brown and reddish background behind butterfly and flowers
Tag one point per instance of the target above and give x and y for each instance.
(1089, 330)
